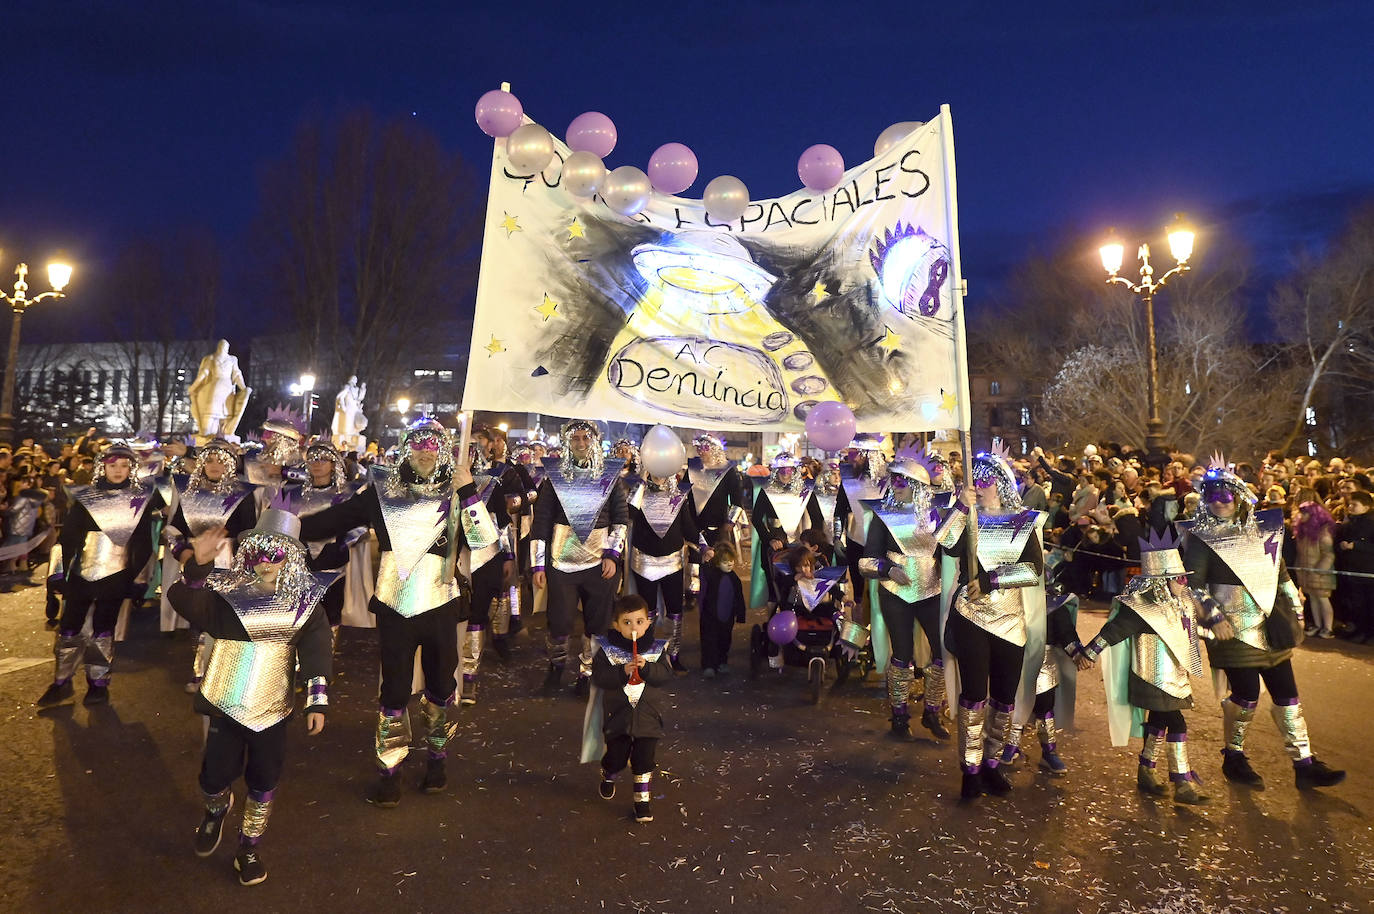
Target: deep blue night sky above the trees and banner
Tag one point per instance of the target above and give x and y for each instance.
(128, 119)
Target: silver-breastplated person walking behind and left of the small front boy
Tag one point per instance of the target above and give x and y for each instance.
(576, 542)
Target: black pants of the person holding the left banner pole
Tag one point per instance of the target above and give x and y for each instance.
(436, 634)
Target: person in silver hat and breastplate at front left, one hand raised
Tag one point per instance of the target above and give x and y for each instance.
(264, 615)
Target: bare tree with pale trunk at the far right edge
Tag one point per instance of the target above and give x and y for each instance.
(1327, 315)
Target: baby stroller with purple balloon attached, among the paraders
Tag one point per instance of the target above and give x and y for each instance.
(818, 615)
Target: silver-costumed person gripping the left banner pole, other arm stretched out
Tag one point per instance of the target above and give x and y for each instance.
(421, 524)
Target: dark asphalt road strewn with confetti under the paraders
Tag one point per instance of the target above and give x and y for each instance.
(763, 803)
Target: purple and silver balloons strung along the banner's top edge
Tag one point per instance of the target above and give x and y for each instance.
(673, 168)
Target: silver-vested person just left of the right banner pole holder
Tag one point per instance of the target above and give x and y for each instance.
(902, 553)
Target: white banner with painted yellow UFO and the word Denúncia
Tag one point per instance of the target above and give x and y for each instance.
(671, 317)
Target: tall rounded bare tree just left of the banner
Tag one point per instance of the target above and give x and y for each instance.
(369, 233)
